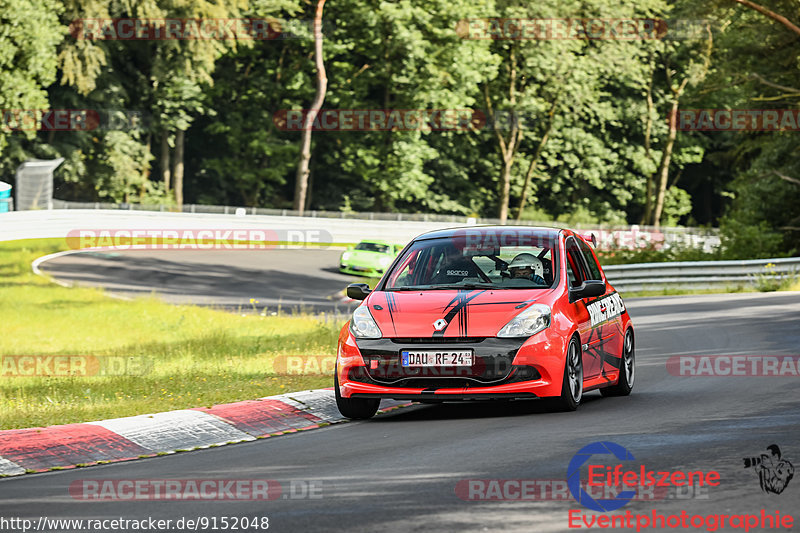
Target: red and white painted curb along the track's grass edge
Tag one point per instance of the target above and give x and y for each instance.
(122, 439)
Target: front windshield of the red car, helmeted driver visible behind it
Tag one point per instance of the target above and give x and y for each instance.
(498, 261)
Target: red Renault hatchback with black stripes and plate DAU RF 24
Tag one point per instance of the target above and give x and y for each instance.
(485, 313)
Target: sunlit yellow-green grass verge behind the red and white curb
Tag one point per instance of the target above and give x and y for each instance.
(198, 356)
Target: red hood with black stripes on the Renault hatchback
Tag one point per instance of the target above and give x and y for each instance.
(468, 313)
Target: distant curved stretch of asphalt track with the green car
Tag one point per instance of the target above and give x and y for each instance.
(285, 279)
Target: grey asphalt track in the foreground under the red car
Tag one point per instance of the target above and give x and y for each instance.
(399, 471)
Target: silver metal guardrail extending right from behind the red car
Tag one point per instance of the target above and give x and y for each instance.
(695, 275)
